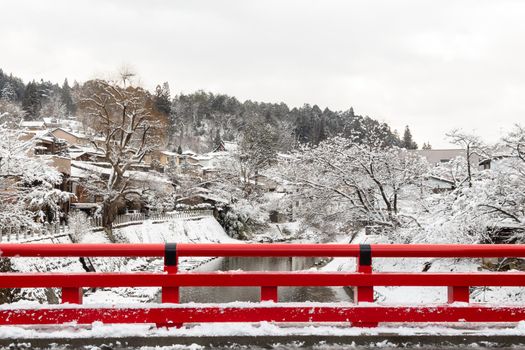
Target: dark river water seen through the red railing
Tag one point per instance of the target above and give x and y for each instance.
(230, 294)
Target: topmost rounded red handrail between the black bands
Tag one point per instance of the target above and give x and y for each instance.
(264, 250)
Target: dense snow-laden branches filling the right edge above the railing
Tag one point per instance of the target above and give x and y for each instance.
(475, 211)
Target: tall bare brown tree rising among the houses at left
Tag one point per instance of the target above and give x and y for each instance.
(127, 123)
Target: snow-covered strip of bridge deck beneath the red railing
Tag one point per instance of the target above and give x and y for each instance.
(264, 335)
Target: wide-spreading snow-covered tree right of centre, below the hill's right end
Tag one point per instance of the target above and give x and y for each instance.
(360, 183)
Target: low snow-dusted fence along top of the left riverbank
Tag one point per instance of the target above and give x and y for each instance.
(27, 234)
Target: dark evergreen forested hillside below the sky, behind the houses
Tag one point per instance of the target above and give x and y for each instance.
(201, 120)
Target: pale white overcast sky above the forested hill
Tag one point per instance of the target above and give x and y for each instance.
(432, 65)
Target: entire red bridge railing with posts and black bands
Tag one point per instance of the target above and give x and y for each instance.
(363, 313)
